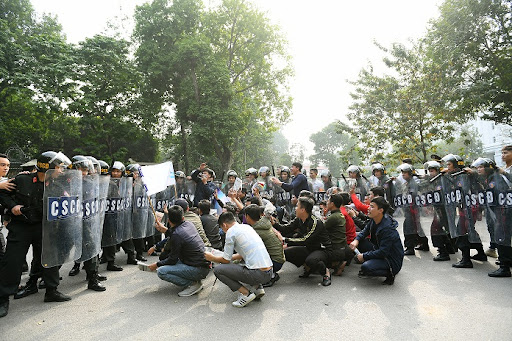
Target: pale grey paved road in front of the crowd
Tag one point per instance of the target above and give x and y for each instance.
(429, 301)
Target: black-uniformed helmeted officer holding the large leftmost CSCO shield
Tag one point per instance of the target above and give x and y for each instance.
(25, 205)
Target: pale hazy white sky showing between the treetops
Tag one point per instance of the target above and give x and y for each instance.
(330, 41)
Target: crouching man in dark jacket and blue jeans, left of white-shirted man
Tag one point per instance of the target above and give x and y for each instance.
(186, 265)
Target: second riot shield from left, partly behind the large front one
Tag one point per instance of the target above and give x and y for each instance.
(91, 217)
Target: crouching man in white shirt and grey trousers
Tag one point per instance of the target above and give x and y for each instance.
(250, 248)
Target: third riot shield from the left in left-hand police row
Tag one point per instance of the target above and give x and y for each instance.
(113, 213)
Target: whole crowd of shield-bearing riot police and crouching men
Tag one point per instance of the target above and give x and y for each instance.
(72, 210)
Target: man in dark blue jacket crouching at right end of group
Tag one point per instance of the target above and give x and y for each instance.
(386, 256)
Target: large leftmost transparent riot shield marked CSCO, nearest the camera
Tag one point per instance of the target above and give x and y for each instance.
(62, 217)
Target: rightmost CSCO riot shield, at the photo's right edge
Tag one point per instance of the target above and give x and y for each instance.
(499, 201)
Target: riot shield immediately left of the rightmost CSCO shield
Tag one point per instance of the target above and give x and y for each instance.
(466, 212)
